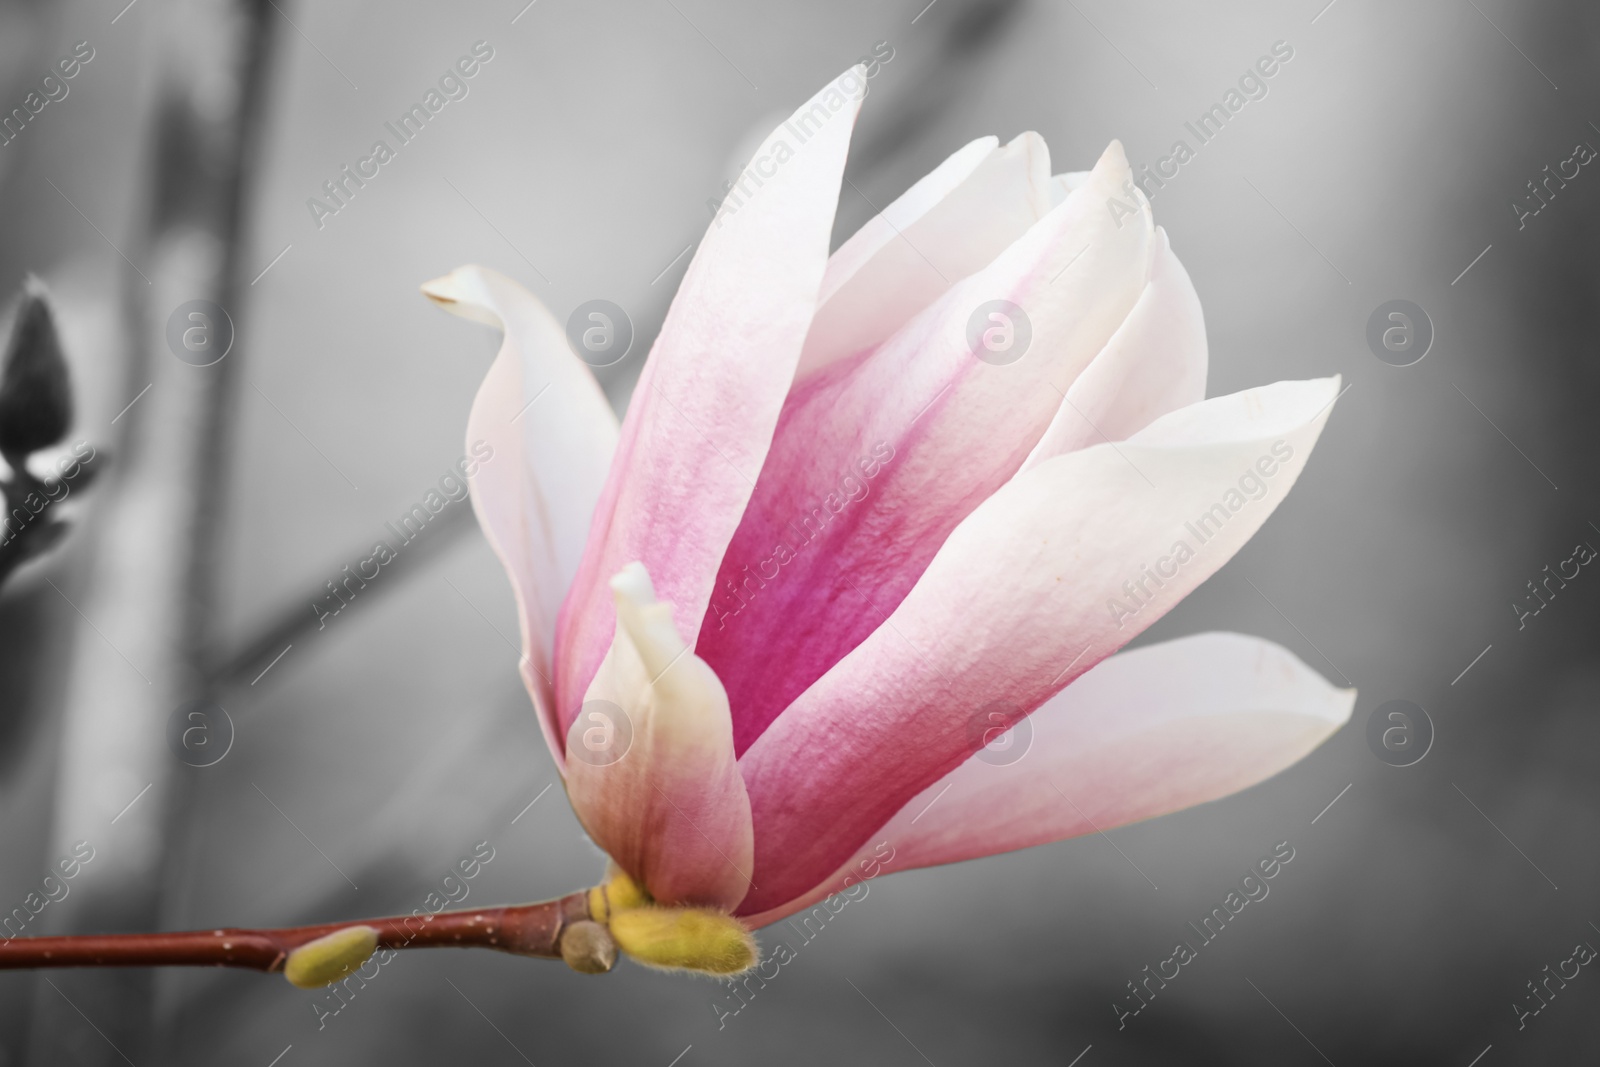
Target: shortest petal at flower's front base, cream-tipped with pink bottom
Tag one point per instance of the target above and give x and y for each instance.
(650, 761)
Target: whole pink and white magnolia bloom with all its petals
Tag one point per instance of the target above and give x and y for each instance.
(870, 511)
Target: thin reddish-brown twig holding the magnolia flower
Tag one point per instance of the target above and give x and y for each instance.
(532, 930)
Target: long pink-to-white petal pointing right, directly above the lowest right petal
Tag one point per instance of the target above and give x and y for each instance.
(1058, 570)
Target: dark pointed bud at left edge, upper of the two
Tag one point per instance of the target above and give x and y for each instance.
(36, 394)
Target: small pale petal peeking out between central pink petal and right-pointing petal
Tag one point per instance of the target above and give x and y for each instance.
(1154, 364)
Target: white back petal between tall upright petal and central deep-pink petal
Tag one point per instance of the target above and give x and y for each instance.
(948, 226)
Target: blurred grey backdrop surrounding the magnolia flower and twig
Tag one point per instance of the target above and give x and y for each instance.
(354, 762)
